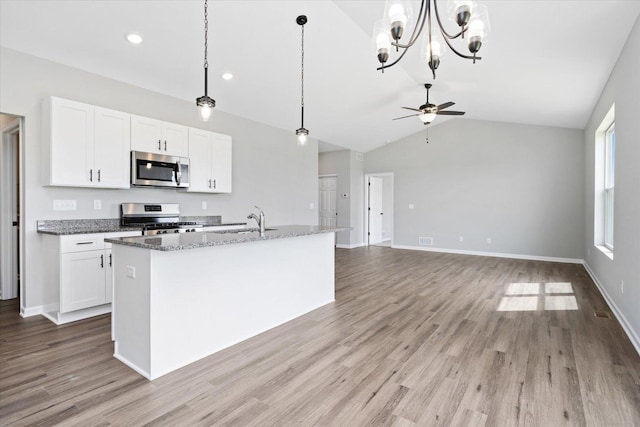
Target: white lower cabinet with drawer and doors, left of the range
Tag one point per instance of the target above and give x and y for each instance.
(83, 285)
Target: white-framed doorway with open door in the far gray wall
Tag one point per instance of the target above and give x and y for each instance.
(378, 222)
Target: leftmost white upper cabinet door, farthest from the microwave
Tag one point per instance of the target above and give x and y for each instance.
(71, 142)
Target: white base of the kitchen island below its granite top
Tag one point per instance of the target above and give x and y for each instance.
(174, 307)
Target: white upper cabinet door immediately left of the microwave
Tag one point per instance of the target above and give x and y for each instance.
(112, 142)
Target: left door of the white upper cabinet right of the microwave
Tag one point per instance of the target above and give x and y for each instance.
(200, 160)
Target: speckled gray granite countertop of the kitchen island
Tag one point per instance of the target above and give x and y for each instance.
(178, 242)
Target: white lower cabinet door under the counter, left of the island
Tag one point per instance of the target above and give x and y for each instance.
(82, 280)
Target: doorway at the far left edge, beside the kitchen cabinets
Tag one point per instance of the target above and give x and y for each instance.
(10, 203)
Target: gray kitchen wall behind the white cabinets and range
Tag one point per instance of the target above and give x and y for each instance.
(269, 169)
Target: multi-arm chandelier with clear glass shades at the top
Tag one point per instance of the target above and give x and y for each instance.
(470, 16)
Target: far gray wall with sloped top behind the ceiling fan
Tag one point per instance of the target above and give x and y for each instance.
(522, 186)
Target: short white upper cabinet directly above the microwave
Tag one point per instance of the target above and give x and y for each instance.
(155, 136)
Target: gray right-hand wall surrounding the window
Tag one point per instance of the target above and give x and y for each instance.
(623, 89)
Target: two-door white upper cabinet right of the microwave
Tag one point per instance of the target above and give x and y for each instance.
(210, 162)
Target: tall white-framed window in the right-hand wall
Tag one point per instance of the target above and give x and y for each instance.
(605, 161)
